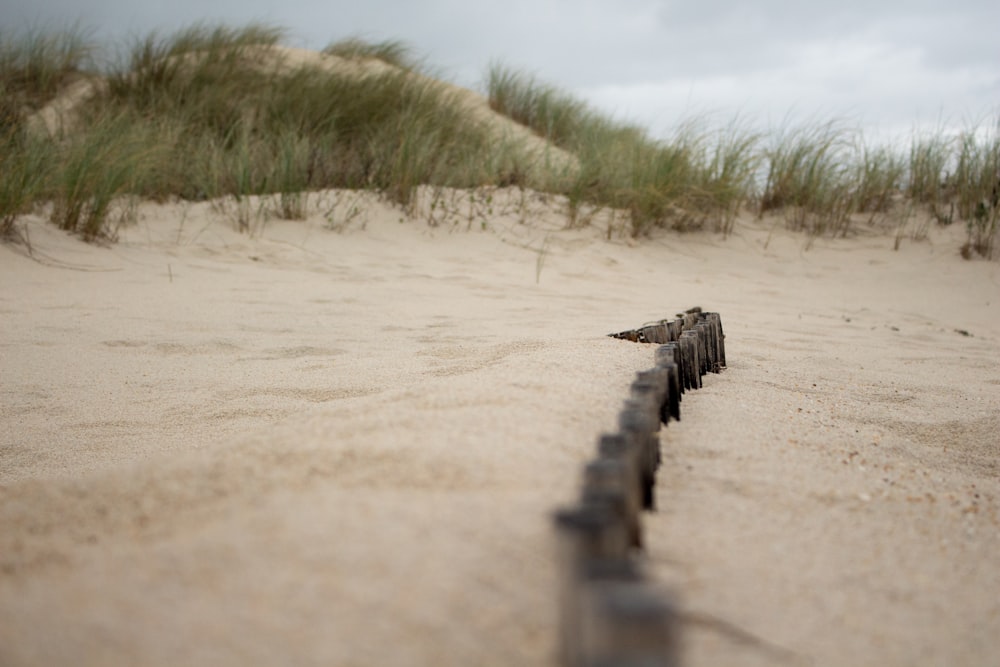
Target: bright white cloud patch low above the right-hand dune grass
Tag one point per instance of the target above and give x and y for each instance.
(859, 78)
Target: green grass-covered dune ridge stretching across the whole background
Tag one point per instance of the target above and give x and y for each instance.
(228, 114)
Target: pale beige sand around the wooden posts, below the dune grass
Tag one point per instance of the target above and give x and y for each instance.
(339, 441)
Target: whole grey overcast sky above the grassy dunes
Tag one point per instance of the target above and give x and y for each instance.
(884, 64)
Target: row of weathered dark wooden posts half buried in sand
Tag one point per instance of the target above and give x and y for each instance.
(609, 613)
